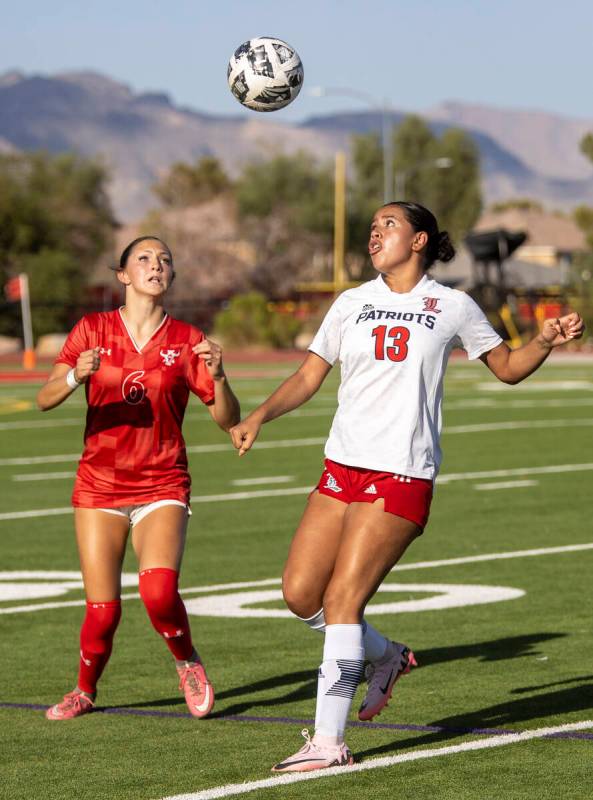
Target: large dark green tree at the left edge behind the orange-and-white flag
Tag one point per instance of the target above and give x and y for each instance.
(55, 221)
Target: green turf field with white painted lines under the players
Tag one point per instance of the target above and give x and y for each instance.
(516, 478)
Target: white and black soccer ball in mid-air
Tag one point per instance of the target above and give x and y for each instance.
(265, 74)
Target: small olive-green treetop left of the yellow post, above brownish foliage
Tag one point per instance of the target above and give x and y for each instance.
(192, 184)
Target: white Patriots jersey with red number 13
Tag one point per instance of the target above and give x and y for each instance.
(393, 350)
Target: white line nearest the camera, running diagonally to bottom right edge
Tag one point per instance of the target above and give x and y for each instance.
(380, 763)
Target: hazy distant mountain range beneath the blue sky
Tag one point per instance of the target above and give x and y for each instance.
(139, 136)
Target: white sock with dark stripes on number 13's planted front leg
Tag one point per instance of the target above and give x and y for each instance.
(339, 676)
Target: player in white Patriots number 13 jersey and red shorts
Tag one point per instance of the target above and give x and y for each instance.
(392, 337)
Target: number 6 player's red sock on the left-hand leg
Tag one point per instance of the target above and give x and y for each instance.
(96, 639)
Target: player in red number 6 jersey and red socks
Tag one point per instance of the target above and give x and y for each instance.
(138, 366)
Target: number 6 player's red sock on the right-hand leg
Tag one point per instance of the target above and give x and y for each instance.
(159, 593)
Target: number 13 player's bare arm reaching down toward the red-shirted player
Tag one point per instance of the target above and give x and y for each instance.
(291, 394)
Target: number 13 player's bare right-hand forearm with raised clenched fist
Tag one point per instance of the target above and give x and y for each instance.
(513, 366)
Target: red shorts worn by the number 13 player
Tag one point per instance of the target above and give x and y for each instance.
(403, 496)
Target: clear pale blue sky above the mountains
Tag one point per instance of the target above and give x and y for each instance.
(415, 54)
